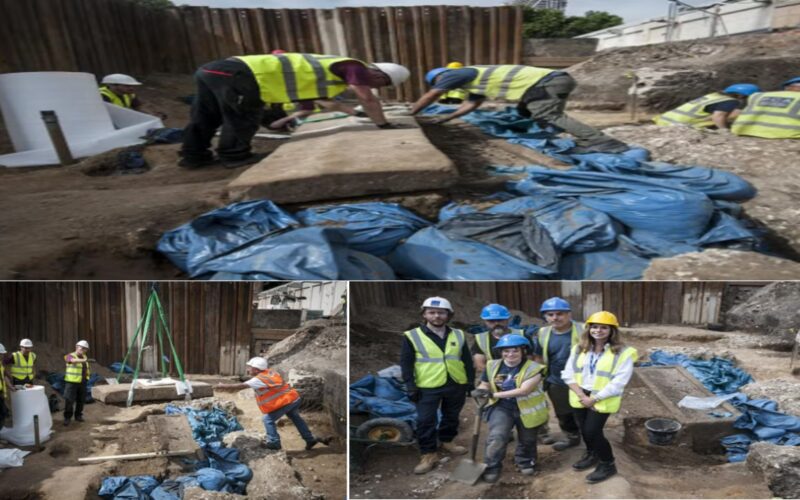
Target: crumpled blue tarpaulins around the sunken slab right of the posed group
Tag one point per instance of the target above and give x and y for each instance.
(760, 418)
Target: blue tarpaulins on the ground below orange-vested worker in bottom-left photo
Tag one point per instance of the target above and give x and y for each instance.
(220, 471)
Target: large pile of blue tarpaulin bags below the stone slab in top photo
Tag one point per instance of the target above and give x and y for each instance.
(605, 218)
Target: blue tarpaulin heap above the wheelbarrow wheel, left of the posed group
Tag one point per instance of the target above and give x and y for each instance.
(382, 397)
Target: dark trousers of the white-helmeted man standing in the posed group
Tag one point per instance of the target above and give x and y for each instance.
(450, 399)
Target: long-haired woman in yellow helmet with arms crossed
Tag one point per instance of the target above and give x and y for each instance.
(597, 371)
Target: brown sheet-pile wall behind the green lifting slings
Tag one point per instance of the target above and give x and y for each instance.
(210, 323)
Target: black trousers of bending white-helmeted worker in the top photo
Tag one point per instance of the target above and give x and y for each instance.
(227, 98)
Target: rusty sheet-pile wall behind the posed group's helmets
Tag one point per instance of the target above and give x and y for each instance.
(634, 302)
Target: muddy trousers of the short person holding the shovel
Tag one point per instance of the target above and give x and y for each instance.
(501, 421)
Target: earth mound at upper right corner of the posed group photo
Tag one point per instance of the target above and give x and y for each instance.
(773, 309)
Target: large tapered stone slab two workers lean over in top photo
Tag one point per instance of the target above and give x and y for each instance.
(347, 163)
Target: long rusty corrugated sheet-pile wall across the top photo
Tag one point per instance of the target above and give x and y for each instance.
(119, 36)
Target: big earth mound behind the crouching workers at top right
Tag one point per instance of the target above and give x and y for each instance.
(674, 73)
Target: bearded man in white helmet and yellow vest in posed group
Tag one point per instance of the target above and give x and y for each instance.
(437, 370)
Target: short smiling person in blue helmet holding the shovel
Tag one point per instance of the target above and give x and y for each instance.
(517, 400)
